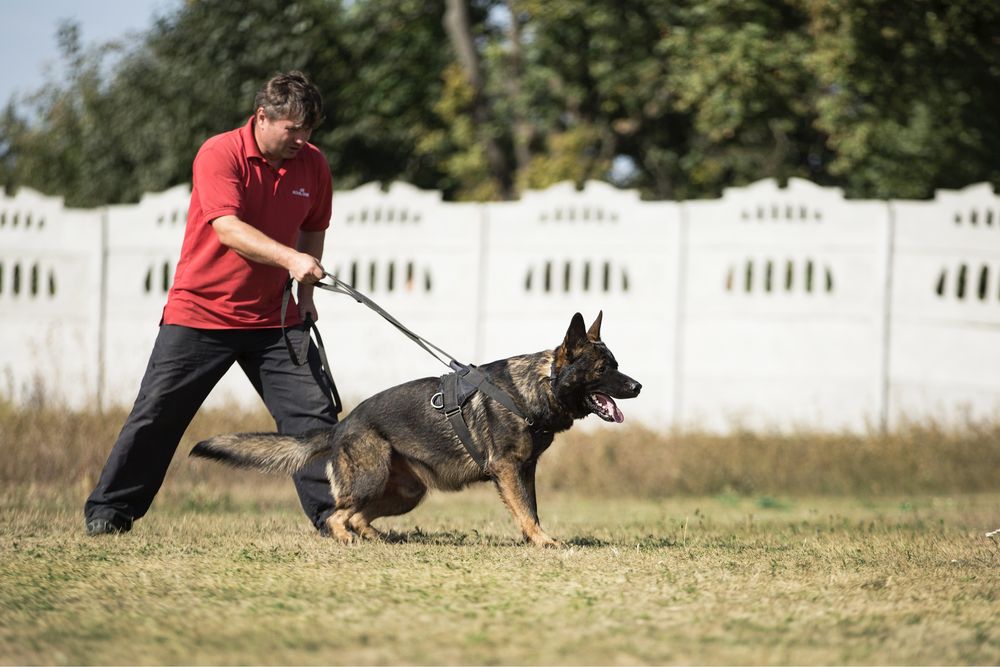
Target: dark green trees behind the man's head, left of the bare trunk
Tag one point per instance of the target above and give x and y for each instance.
(108, 139)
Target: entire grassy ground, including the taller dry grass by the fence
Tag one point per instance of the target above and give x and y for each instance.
(224, 569)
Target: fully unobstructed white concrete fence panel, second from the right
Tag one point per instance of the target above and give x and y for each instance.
(784, 309)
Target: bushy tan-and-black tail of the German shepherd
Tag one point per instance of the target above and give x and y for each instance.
(269, 452)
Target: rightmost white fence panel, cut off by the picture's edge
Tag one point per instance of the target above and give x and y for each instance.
(944, 357)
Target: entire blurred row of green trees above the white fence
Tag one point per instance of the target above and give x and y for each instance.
(678, 98)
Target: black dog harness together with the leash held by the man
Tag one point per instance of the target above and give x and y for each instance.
(456, 387)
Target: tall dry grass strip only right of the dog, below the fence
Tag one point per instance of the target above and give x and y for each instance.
(920, 458)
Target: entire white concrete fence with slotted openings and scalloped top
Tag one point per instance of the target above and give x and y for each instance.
(768, 308)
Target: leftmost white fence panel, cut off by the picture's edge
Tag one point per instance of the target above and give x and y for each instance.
(50, 299)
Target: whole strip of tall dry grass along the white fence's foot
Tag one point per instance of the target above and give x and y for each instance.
(57, 446)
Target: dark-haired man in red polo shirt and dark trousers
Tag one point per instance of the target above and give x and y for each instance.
(260, 207)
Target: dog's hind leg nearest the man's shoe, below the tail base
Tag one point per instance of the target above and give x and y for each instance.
(358, 473)
